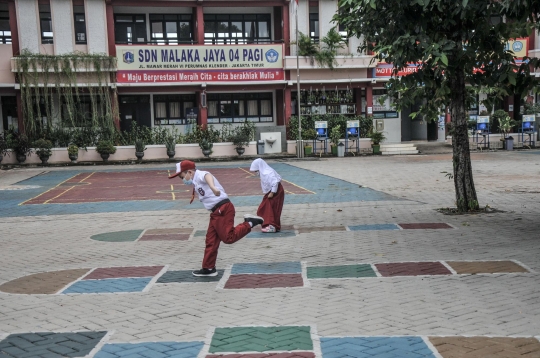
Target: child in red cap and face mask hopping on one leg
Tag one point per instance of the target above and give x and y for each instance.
(221, 226)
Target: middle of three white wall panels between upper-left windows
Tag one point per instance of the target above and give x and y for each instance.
(63, 30)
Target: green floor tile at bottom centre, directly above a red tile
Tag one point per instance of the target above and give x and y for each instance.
(261, 339)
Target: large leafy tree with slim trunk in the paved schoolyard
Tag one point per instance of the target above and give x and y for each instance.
(455, 43)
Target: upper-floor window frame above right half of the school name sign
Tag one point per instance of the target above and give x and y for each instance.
(232, 39)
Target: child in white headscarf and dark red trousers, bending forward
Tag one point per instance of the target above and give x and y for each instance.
(274, 195)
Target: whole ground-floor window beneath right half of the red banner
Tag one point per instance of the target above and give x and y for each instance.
(239, 107)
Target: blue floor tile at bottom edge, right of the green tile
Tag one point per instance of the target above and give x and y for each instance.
(371, 347)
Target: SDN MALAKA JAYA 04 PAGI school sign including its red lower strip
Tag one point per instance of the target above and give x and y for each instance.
(211, 63)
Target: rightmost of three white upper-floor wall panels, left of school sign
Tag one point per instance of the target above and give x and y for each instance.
(96, 26)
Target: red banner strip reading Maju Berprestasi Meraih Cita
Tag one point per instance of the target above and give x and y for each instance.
(150, 76)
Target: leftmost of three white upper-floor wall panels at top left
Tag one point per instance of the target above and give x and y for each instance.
(28, 25)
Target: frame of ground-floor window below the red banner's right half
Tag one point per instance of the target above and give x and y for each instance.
(245, 97)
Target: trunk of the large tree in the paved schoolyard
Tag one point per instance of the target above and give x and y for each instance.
(466, 199)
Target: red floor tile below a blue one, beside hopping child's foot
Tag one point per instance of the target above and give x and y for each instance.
(264, 281)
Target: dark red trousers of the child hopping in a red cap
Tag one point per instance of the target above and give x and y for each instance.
(221, 228)
